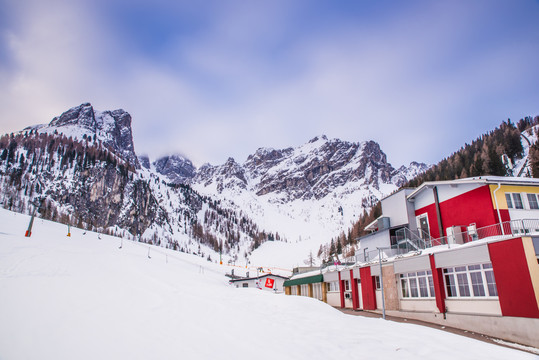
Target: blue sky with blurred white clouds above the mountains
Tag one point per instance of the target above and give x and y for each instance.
(214, 79)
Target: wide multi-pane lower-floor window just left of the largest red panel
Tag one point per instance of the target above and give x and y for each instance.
(470, 281)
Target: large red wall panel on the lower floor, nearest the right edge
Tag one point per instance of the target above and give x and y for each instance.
(513, 279)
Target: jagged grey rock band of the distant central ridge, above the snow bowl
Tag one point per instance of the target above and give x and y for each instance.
(311, 171)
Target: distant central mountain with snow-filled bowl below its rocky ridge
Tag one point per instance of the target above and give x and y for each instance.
(307, 194)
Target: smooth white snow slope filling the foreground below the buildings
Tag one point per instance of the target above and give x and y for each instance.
(82, 297)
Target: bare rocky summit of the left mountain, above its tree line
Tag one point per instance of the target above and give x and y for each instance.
(113, 128)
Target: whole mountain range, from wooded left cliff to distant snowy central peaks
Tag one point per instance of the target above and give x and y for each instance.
(84, 167)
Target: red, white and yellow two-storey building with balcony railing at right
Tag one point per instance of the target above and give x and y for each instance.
(460, 253)
